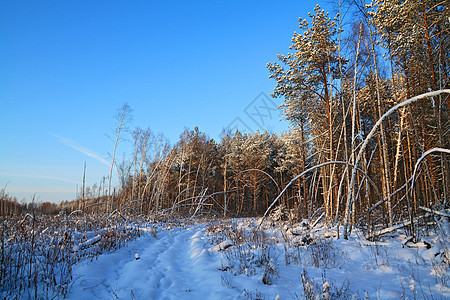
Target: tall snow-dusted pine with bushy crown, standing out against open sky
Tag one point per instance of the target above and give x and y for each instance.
(305, 82)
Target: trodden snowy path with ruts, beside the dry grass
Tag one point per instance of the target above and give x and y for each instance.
(176, 265)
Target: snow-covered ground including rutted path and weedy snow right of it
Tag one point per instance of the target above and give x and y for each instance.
(233, 260)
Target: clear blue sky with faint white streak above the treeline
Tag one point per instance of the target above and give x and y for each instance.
(67, 66)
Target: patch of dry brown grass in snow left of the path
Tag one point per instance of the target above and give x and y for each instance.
(38, 252)
